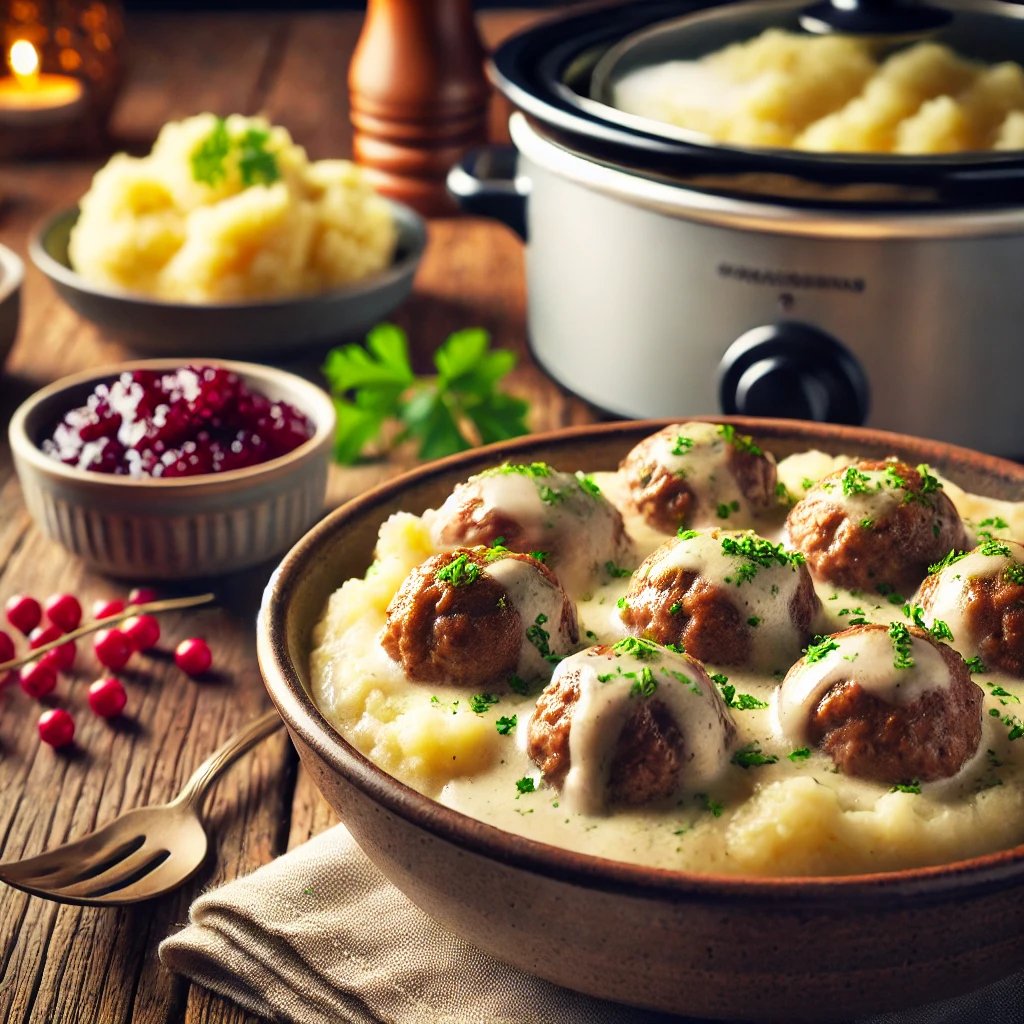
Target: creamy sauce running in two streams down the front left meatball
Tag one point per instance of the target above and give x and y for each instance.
(608, 698)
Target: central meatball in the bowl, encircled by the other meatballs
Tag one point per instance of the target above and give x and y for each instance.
(727, 598)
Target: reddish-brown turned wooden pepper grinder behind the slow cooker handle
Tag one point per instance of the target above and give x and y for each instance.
(418, 97)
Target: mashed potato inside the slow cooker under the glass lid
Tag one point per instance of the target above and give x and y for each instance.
(830, 95)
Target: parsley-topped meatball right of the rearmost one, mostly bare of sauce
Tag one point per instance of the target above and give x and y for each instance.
(876, 525)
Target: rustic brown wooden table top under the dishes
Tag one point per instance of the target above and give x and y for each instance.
(80, 966)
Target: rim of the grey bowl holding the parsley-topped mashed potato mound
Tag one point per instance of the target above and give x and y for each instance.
(411, 230)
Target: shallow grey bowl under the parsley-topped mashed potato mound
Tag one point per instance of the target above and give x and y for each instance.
(232, 329)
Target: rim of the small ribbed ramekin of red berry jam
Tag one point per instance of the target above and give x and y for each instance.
(323, 417)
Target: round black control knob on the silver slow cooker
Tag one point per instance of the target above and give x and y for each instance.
(794, 371)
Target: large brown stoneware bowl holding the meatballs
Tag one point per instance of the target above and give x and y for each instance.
(758, 950)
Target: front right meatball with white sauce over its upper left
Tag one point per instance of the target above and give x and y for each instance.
(887, 704)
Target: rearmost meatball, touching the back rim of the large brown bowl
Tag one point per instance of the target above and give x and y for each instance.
(700, 475)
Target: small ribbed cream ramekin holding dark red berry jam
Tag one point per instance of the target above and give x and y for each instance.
(183, 528)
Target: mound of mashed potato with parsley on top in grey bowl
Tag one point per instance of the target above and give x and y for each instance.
(228, 211)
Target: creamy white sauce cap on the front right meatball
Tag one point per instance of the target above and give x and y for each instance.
(867, 659)
